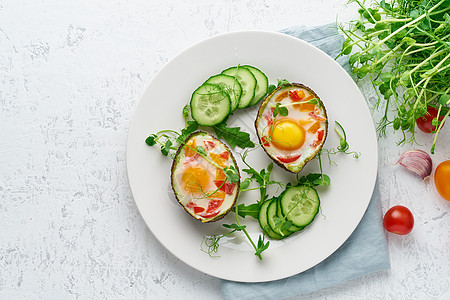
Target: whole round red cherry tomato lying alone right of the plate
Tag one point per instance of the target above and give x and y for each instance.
(398, 220)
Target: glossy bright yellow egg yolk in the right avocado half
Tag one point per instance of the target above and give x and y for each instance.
(286, 134)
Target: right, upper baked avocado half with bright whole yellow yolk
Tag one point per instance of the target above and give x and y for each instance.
(292, 125)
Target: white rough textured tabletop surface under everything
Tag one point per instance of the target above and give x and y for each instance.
(71, 73)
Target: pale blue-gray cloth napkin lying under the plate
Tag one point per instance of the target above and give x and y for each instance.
(363, 253)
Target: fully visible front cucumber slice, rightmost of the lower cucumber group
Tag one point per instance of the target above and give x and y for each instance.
(300, 204)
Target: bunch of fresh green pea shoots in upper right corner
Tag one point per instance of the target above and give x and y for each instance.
(403, 47)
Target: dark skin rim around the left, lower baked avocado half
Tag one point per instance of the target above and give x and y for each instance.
(172, 171)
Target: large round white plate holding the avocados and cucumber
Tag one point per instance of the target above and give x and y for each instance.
(343, 203)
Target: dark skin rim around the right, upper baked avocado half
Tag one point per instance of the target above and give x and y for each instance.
(266, 100)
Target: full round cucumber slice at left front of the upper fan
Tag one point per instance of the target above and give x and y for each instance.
(210, 105)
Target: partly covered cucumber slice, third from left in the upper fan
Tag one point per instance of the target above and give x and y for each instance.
(247, 81)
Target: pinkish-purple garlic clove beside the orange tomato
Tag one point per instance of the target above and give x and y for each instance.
(417, 161)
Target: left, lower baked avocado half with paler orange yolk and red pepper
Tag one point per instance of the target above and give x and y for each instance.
(199, 182)
